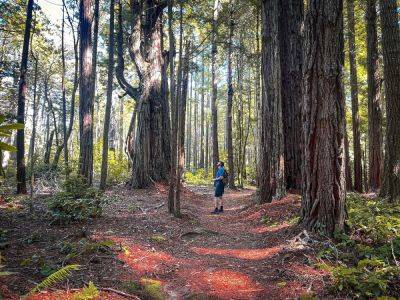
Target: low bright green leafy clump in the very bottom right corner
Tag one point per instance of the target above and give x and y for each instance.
(370, 278)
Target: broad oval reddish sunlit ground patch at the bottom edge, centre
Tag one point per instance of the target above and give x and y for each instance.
(224, 284)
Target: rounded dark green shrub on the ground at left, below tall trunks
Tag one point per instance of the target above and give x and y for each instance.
(78, 202)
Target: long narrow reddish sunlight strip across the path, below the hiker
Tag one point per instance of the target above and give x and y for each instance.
(251, 254)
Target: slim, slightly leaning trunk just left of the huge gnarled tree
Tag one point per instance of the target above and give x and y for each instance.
(104, 162)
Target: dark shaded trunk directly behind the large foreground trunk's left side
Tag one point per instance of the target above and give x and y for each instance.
(291, 21)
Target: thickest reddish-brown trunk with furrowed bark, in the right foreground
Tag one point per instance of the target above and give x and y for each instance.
(324, 193)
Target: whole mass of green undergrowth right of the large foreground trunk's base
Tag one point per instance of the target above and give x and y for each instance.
(364, 262)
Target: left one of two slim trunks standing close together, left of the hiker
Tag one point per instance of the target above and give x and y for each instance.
(174, 106)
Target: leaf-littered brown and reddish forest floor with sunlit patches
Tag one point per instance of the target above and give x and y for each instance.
(248, 252)
